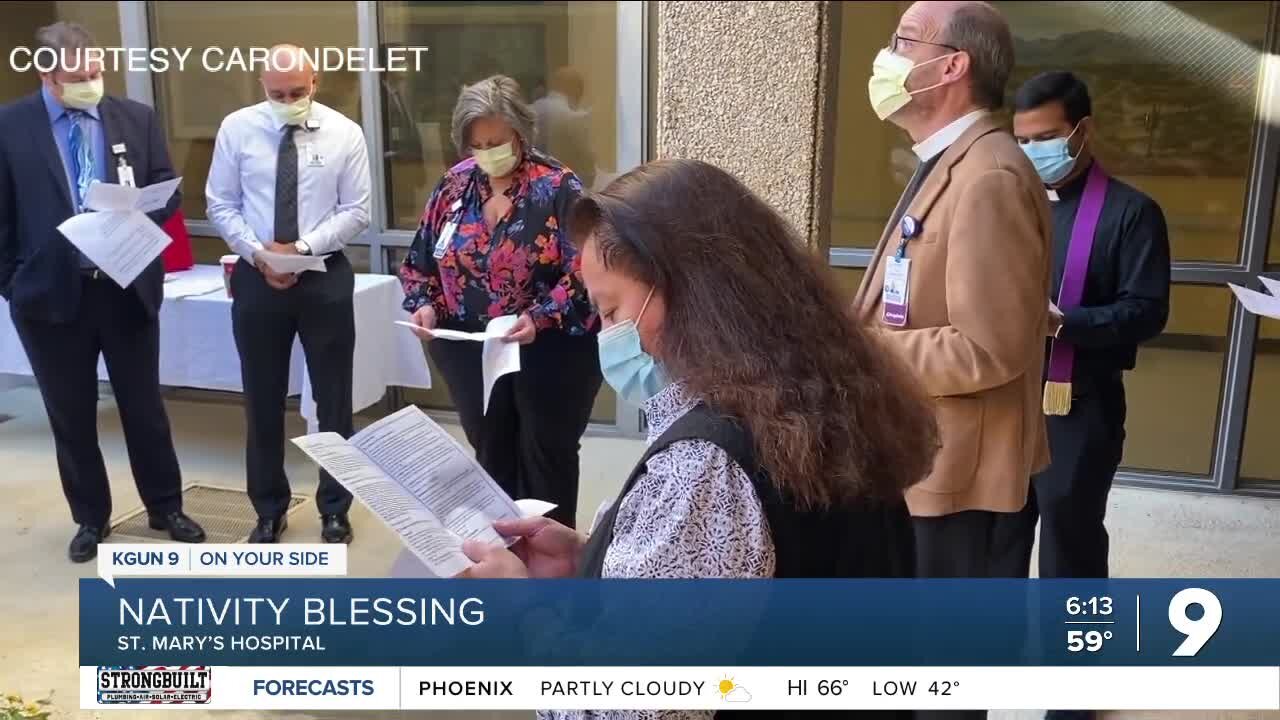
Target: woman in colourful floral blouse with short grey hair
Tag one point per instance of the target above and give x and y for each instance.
(491, 244)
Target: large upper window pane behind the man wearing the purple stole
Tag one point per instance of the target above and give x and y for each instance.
(1173, 89)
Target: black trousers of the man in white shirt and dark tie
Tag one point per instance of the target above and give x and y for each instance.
(319, 311)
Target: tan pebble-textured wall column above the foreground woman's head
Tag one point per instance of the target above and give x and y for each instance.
(738, 86)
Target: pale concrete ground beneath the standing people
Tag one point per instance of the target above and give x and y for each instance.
(1154, 535)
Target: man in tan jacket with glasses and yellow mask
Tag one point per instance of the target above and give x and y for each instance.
(961, 281)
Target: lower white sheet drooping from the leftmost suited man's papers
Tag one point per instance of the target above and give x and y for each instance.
(122, 244)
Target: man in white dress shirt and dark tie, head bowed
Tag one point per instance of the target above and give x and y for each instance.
(291, 176)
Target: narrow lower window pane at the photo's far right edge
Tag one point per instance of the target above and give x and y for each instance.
(1261, 461)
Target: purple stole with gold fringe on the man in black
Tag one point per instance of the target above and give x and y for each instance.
(1062, 358)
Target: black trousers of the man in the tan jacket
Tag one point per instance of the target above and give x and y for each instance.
(973, 544)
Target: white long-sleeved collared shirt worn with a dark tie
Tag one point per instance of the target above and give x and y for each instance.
(333, 180)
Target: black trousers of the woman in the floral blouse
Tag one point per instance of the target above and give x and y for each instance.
(529, 440)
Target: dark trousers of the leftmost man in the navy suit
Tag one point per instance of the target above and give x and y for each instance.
(111, 323)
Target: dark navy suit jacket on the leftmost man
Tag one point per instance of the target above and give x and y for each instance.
(39, 267)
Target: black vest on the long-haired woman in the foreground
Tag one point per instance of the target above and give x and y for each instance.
(857, 541)
